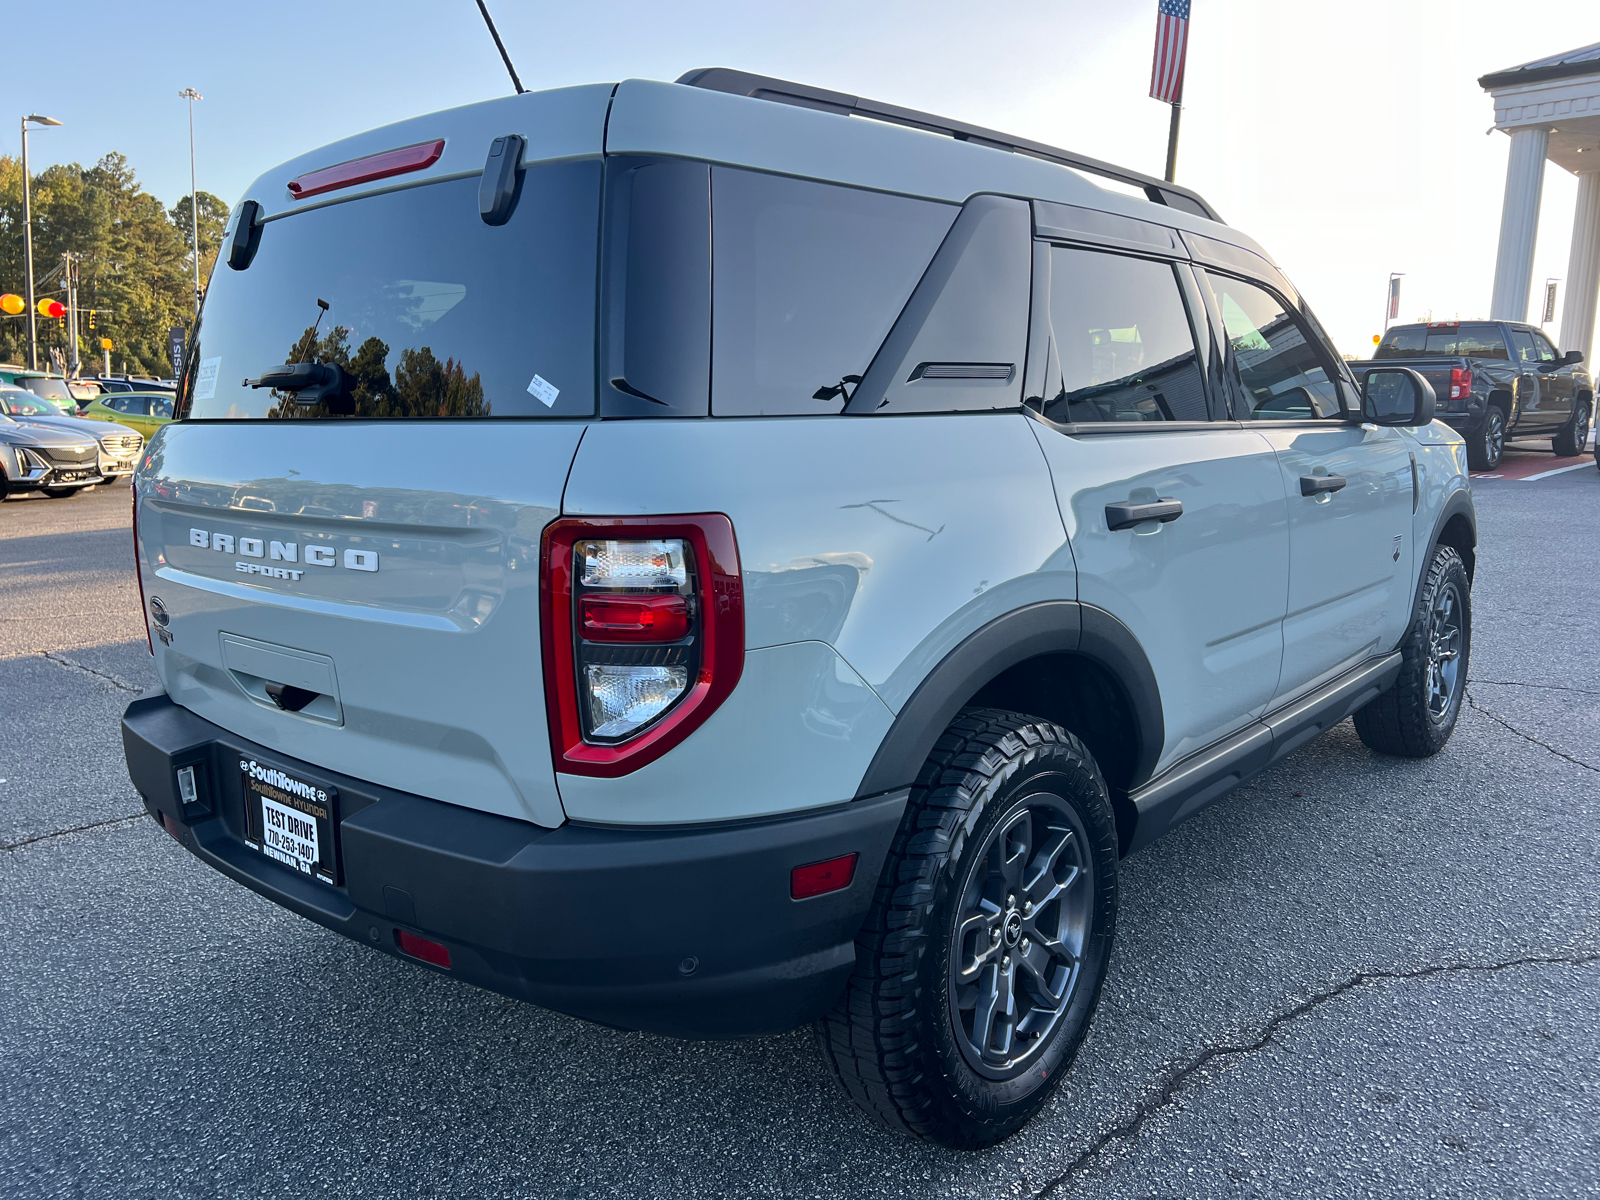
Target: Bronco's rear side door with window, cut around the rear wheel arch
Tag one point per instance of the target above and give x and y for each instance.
(1129, 422)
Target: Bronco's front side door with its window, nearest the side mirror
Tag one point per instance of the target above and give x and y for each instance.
(1348, 487)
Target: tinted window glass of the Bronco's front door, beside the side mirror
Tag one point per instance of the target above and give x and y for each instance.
(1282, 372)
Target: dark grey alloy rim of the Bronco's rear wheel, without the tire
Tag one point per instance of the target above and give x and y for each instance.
(1022, 929)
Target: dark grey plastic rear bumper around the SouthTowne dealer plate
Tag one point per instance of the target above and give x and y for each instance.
(681, 932)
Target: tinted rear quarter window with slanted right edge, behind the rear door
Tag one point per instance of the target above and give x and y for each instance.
(807, 281)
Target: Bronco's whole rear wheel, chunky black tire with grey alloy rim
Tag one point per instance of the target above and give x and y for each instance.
(983, 956)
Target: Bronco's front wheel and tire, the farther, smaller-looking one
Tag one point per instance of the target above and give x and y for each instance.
(1418, 714)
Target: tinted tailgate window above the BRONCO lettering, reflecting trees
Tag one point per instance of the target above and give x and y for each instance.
(431, 313)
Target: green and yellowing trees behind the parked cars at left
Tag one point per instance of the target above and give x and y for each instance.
(135, 268)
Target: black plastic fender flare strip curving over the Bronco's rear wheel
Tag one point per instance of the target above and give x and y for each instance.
(1047, 628)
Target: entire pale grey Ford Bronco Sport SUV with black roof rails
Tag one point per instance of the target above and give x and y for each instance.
(719, 556)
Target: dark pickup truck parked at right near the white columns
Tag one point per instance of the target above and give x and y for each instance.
(1495, 382)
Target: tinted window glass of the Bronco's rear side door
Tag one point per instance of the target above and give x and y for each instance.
(1121, 345)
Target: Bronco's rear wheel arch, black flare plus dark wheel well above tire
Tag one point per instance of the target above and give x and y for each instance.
(1073, 665)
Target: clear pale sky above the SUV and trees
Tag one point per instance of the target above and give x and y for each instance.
(1348, 138)
